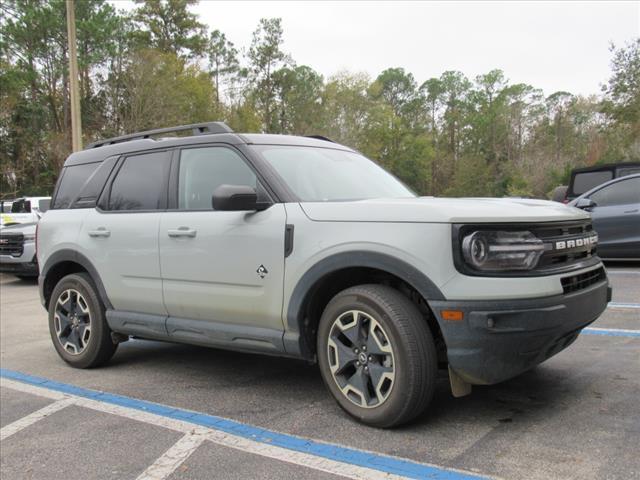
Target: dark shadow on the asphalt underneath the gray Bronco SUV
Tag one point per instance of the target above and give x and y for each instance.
(532, 394)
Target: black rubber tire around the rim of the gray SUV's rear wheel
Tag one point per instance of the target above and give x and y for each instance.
(99, 329)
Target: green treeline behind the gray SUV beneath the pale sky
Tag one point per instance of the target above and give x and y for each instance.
(160, 66)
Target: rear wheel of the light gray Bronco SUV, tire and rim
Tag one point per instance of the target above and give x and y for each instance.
(77, 323)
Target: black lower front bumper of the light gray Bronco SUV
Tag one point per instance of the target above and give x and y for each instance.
(497, 340)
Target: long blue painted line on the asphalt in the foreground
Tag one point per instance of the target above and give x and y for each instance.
(382, 463)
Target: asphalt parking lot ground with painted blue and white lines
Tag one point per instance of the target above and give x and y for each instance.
(160, 410)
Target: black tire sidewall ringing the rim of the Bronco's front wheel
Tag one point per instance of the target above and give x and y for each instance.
(394, 405)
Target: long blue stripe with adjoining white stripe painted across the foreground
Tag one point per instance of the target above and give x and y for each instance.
(330, 458)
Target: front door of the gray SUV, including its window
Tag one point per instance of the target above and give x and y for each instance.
(222, 270)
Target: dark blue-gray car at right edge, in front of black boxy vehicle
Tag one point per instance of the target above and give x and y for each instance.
(615, 212)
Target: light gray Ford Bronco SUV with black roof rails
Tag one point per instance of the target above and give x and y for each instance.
(304, 248)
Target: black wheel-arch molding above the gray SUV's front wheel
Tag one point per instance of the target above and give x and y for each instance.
(294, 339)
